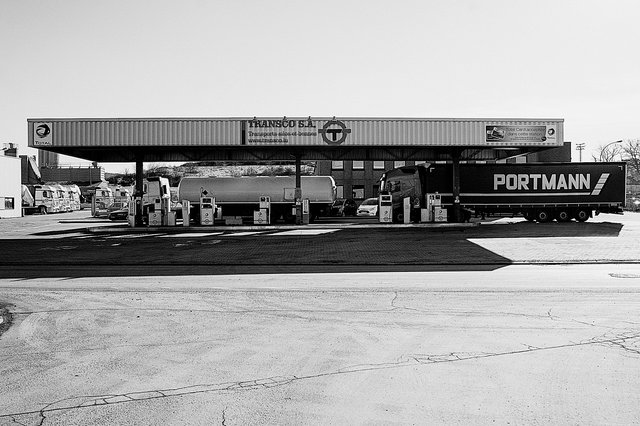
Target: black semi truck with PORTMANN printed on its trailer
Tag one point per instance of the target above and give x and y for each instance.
(540, 192)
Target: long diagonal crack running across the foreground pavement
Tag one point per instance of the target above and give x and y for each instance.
(408, 360)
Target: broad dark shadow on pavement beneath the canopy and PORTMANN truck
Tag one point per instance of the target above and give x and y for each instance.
(388, 249)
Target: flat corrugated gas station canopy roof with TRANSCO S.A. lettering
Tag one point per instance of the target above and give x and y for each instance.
(286, 138)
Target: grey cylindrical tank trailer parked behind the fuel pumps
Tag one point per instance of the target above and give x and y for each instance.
(240, 196)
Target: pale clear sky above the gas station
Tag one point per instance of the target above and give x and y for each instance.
(576, 60)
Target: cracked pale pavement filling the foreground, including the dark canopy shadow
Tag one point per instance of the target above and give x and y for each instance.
(540, 324)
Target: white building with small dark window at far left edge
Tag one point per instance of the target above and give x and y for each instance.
(10, 188)
